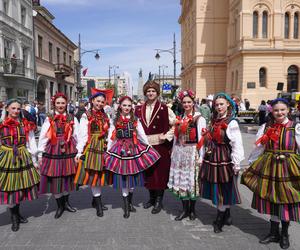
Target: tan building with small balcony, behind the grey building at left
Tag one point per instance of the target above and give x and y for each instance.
(54, 58)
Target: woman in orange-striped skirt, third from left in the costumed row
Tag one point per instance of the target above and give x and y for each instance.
(92, 144)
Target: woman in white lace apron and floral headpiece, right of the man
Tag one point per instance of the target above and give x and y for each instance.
(184, 170)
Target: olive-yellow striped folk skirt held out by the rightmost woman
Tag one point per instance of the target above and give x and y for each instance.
(275, 183)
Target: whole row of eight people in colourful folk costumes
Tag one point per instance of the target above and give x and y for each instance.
(151, 147)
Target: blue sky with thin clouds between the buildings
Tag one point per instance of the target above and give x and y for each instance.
(126, 32)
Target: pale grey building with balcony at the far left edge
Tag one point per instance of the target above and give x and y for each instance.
(16, 50)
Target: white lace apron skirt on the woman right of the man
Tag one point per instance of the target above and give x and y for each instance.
(184, 172)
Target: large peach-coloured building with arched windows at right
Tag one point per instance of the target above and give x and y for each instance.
(252, 49)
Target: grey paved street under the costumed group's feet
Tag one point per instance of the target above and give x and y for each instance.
(83, 230)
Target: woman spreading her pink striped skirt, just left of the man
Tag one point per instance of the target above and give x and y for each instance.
(128, 153)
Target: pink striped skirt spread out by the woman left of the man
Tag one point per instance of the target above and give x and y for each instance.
(127, 161)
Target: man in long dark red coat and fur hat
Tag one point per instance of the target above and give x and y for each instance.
(157, 120)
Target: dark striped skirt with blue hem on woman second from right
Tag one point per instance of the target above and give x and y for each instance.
(217, 181)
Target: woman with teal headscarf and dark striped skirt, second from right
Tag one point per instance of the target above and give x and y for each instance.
(221, 161)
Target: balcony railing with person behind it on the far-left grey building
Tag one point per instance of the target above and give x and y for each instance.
(12, 66)
